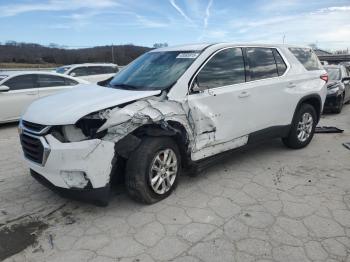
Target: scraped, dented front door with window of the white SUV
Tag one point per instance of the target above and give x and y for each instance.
(221, 108)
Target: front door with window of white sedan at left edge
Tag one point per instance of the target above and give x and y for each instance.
(22, 93)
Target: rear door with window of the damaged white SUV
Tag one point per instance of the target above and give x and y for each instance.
(270, 90)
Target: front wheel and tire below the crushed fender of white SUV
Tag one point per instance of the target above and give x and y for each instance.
(152, 170)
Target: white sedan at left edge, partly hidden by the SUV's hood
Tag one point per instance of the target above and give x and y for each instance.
(18, 89)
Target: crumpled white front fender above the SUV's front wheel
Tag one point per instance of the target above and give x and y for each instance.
(121, 122)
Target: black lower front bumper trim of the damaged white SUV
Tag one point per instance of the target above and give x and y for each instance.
(97, 196)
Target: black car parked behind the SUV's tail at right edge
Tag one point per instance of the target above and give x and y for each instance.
(338, 88)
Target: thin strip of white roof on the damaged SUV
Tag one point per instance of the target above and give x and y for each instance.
(200, 47)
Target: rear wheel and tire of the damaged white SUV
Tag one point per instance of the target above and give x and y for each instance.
(302, 128)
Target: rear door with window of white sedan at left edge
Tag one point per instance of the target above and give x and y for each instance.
(51, 84)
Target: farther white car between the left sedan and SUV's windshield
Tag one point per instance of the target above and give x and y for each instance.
(91, 72)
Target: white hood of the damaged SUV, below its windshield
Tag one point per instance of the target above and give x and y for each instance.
(68, 107)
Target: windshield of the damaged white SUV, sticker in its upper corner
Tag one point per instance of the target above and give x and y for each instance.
(154, 71)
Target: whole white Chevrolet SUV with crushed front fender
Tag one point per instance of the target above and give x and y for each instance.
(168, 110)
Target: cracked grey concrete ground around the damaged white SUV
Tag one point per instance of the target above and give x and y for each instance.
(267, 203)
